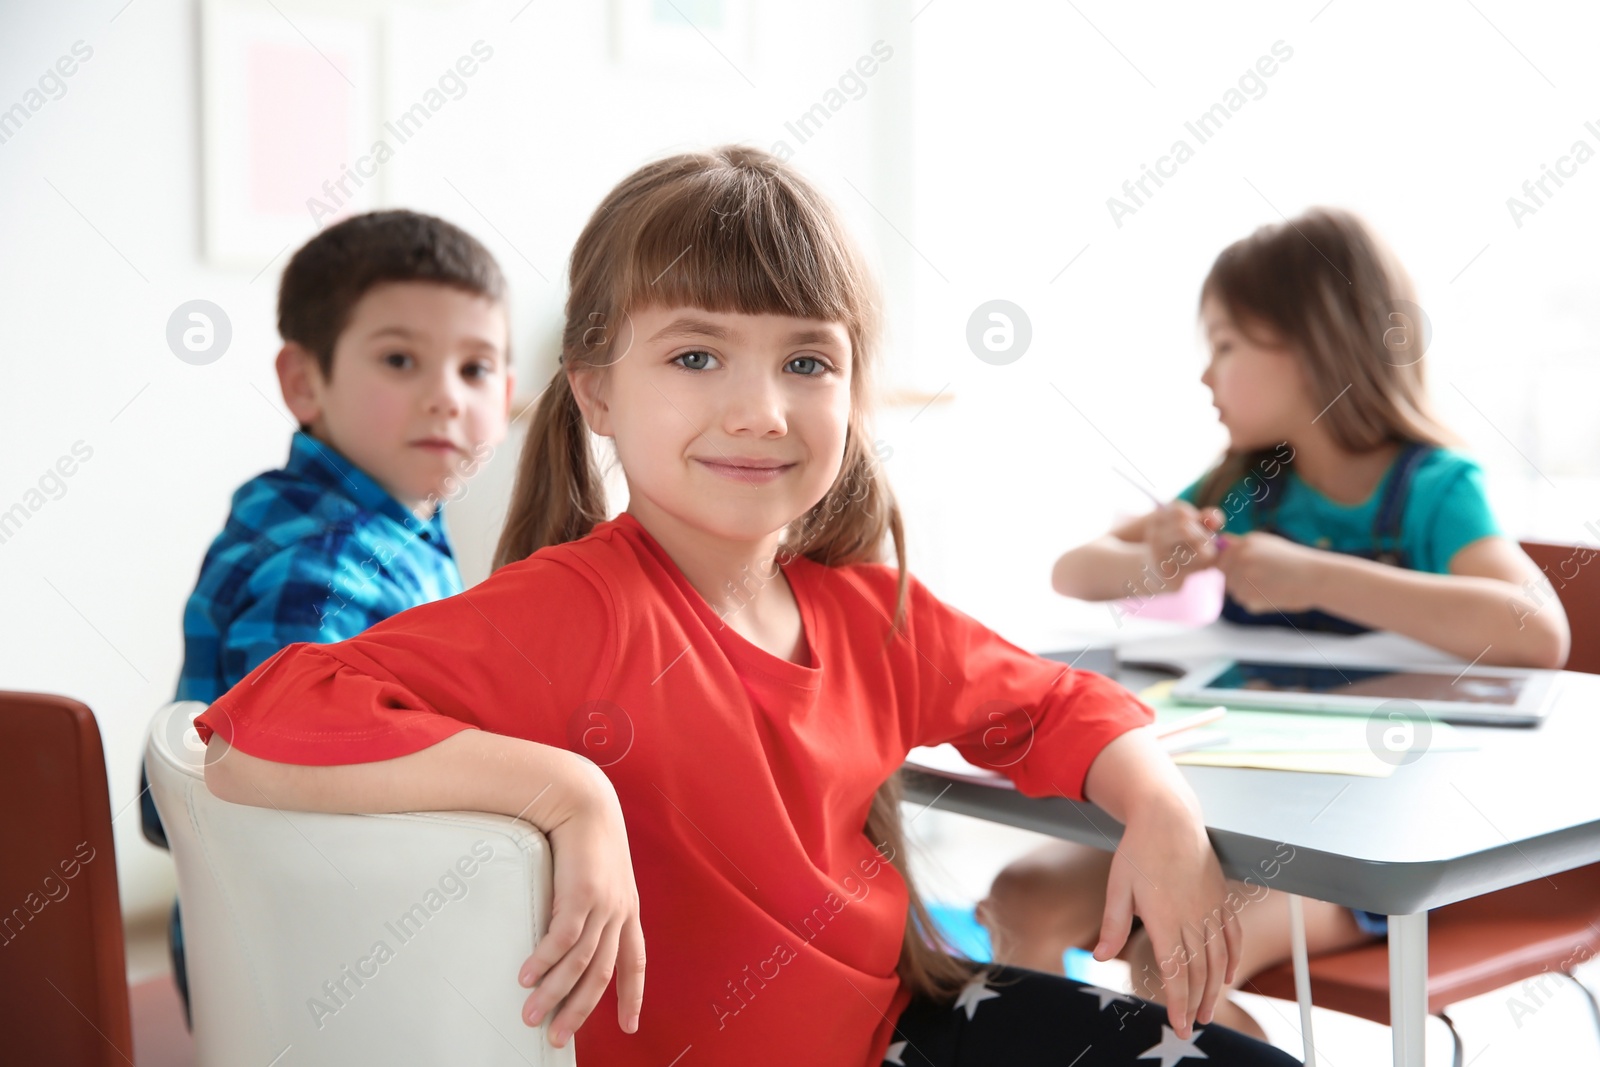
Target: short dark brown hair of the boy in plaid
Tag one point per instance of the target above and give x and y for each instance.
(334, 271)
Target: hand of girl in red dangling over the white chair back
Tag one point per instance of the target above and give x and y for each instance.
(594, 922)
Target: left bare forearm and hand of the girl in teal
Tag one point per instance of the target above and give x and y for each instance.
(1151, 554)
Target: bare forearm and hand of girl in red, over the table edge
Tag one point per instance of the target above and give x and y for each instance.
(1166, 871)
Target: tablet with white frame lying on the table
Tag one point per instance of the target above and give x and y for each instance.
(1457, 695)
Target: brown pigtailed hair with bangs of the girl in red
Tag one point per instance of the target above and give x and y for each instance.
(732, 230)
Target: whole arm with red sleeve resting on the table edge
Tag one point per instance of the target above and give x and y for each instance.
(1058, 732)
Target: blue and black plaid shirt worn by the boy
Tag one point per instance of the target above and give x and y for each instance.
(314, 553)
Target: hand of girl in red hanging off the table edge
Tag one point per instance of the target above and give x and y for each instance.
(1166, 873)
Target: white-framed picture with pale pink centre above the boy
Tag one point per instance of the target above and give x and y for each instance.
(289, 129)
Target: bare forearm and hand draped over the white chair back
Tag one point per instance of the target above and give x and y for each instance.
(596, 922)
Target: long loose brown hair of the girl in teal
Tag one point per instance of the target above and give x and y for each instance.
(1327, 289)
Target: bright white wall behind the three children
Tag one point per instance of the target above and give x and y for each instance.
(975, 167)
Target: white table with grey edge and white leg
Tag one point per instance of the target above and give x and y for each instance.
(1442, 829)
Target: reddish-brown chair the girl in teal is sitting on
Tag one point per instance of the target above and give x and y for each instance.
(1545, 927)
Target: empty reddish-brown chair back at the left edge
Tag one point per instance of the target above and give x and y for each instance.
(62, 951)
